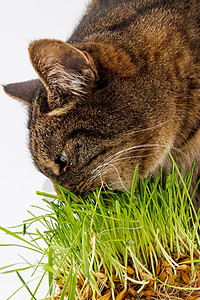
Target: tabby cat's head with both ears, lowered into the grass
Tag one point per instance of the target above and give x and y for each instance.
(91, 117)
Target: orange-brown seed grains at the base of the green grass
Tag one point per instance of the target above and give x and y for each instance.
(169, 283)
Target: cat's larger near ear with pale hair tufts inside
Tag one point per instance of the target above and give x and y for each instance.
(62, 67)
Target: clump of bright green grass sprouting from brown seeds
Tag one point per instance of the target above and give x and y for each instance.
(142, 245)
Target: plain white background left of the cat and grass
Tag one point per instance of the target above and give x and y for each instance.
(21, 22)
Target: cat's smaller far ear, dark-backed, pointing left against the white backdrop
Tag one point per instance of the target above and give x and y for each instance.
(23, 91)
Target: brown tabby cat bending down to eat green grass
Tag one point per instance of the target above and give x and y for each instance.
(123, 88)
